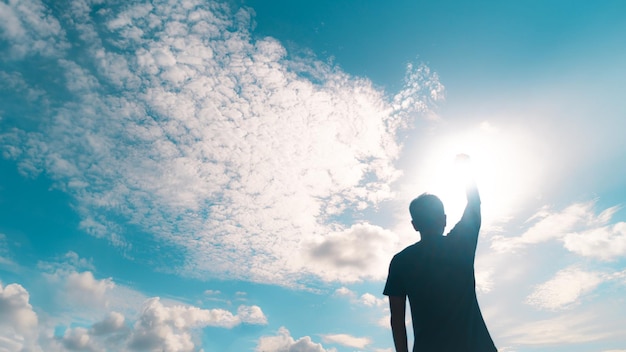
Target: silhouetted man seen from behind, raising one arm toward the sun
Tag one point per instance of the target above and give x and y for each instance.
(437, 275)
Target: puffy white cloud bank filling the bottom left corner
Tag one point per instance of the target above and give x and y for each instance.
(79, 297)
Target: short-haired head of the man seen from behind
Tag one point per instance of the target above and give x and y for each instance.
(427, 214)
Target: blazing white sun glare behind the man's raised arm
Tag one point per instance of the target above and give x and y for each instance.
(501, 162)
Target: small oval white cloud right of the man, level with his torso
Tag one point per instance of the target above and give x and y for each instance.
(564, 289)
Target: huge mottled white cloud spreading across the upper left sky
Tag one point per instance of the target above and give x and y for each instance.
(243, 156)
